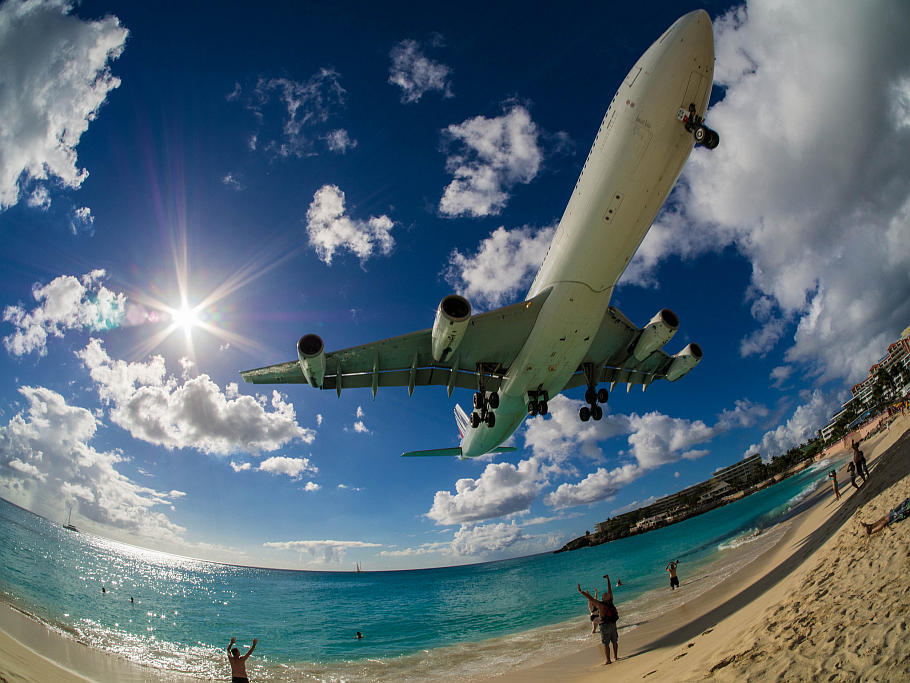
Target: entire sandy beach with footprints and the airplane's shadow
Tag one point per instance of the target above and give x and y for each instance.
(825, 603)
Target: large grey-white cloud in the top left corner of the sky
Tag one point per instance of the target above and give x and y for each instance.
(54, 77)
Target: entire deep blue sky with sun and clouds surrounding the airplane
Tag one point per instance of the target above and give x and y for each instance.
(186, 190)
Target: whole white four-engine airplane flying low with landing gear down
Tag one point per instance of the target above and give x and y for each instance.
(564, 334)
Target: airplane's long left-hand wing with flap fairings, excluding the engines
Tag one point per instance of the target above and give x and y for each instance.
(490, 344)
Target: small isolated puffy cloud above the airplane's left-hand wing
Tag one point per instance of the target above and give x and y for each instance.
(330, 229)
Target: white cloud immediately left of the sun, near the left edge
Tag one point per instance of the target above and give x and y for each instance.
(65, 303)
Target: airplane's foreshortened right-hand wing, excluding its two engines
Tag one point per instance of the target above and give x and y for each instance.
(611, 356)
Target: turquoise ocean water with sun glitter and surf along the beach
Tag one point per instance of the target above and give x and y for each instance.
(434, 624)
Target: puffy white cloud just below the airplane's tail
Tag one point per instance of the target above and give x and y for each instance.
(501, 489)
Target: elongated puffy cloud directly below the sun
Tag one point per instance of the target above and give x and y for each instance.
(188, 413)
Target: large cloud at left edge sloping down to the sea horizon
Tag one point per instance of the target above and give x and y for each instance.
(48, 464)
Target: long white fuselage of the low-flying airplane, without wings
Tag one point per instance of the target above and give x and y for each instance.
(636, 158)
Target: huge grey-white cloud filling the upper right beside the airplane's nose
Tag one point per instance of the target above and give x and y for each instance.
(823, 217)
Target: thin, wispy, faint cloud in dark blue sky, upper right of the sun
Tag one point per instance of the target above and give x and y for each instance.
(306, 109)
